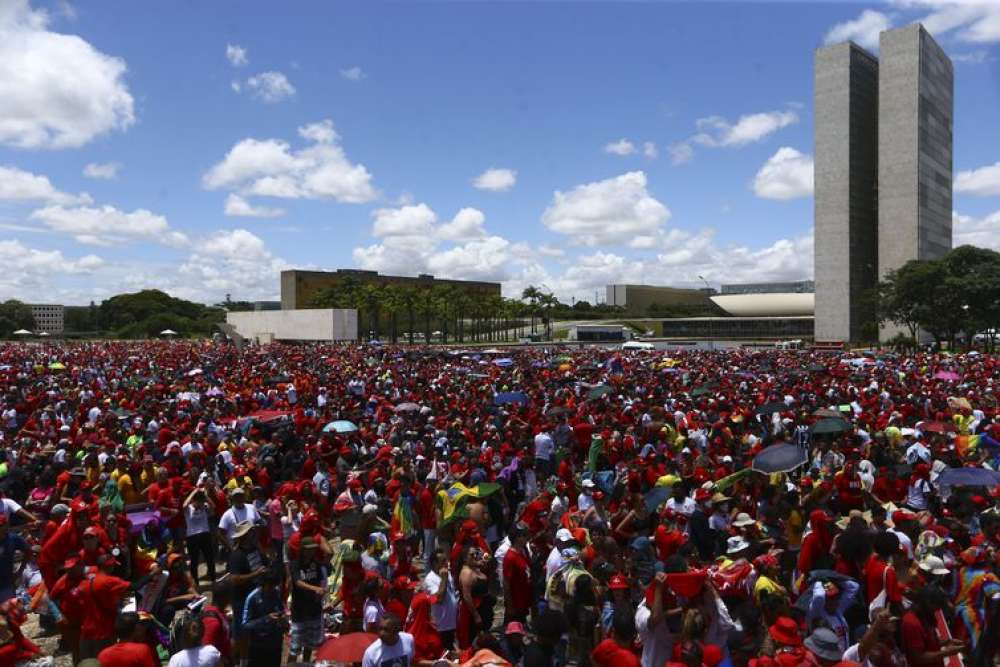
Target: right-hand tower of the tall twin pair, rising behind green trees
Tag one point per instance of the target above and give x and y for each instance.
(916, 89)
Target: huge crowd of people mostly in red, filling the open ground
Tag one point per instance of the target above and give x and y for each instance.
(195, 504)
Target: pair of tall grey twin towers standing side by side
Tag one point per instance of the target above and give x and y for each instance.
(883, 170)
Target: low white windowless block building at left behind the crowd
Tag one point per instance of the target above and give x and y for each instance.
(314, 324)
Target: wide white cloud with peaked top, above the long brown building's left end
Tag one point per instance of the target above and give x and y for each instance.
(271, 168)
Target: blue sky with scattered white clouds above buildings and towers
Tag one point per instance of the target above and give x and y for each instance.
(201, 148)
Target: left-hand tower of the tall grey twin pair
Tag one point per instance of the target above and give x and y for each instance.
(845, 200)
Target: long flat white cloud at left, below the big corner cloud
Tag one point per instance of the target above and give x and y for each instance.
(106, 225)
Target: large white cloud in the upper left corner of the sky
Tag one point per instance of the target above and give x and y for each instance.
(57, 90)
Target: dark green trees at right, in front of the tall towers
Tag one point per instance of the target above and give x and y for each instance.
(955, 299)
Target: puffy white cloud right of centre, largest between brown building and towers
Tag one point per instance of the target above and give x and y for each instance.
(611, 211)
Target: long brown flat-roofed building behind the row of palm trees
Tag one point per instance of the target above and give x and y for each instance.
(299, 288)
